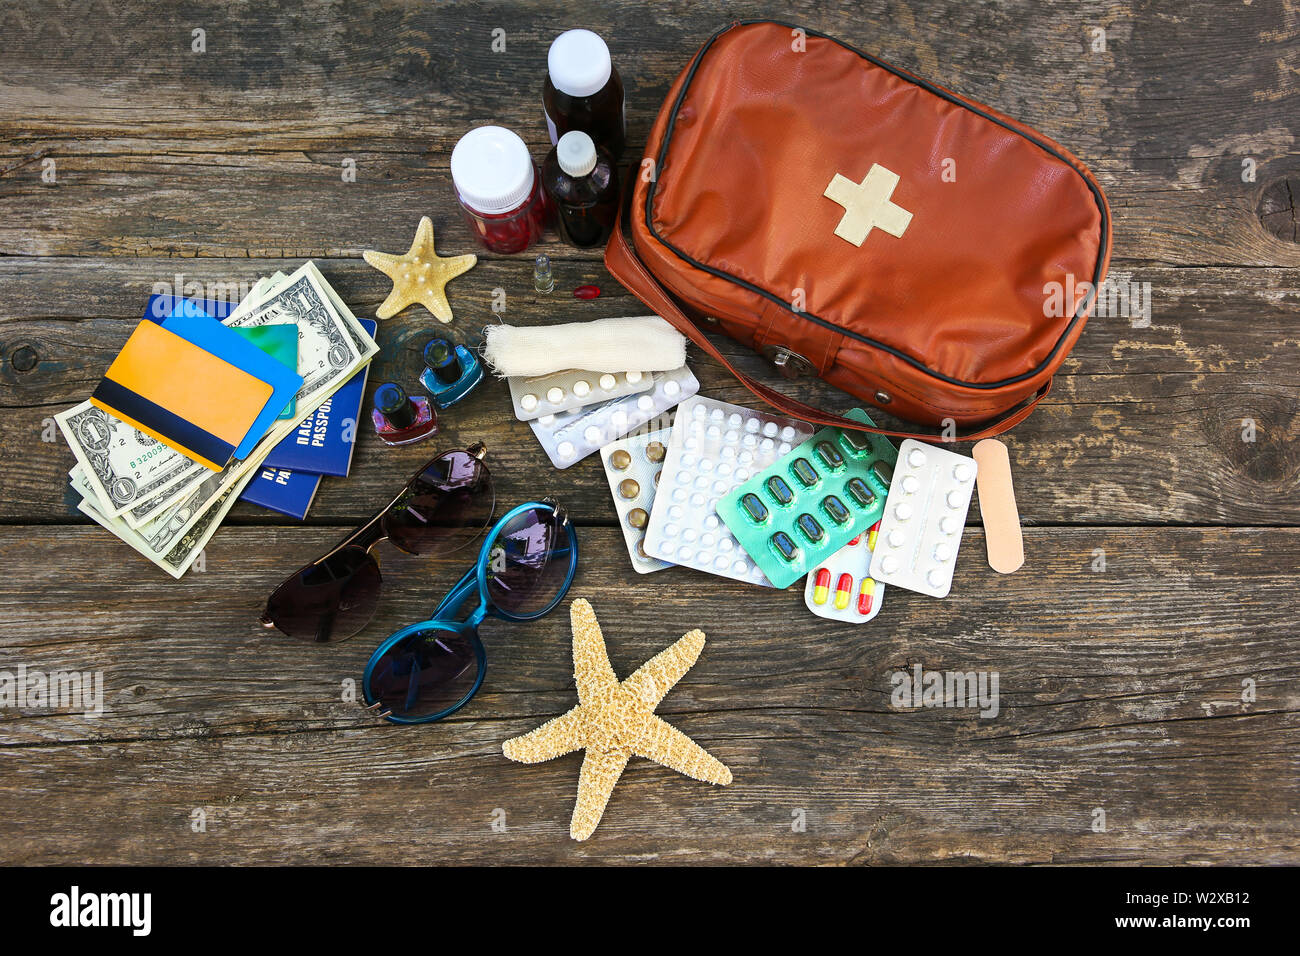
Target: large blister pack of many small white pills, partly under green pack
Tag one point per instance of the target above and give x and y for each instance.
(716, 447)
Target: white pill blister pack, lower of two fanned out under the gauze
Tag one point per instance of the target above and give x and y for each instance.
(571, 436)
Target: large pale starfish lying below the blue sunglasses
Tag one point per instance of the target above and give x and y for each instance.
(614, 721)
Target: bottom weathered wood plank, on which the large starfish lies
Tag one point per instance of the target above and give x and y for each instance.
(1120, 690)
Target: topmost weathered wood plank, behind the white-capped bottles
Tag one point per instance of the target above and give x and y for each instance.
(239, 152)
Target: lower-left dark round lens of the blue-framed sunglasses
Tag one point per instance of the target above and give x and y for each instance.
(426, 674)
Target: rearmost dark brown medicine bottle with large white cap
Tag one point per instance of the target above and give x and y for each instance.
(584, 92)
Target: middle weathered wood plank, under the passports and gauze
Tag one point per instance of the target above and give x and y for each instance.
(1146, 425)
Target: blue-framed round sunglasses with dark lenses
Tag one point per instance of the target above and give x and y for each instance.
(430, 671)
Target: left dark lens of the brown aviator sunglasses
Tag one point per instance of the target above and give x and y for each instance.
(328, 602)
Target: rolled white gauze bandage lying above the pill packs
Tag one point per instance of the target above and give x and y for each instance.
(642, 344)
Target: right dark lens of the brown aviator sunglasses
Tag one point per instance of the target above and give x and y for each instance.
(449, 505)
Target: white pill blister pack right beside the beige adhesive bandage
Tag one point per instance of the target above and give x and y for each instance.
(924, 521)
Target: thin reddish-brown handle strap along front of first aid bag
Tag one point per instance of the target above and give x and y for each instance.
(627, 267)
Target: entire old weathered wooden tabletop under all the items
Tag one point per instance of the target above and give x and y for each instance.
(1147, 652)
